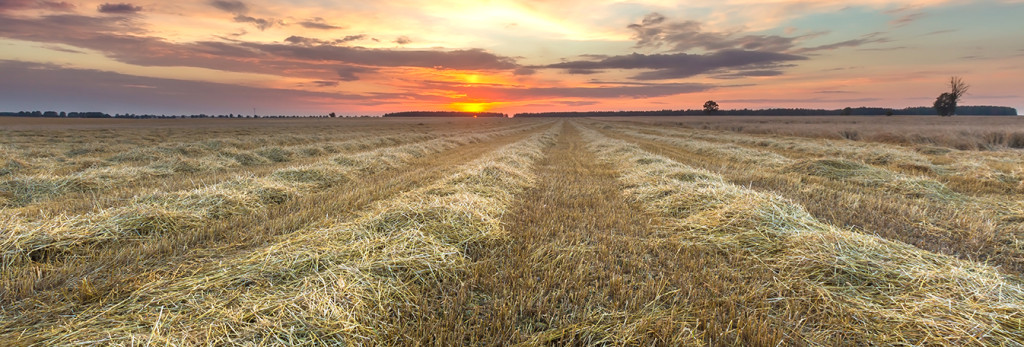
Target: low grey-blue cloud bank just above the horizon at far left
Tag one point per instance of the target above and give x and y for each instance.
(47, 86)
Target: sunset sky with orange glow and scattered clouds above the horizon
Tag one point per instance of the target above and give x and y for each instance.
(371, 58)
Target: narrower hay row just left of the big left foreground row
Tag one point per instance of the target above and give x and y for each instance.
(156, 213)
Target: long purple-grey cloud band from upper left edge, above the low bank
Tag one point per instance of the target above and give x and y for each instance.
(121, 40)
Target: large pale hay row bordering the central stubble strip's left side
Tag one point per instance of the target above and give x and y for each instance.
(329, 285)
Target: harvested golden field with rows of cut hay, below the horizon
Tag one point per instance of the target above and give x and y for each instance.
(494, 232)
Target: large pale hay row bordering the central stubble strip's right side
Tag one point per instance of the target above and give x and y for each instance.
(855, 286)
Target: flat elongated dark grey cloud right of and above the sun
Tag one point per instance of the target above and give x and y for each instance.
(682, 65)
